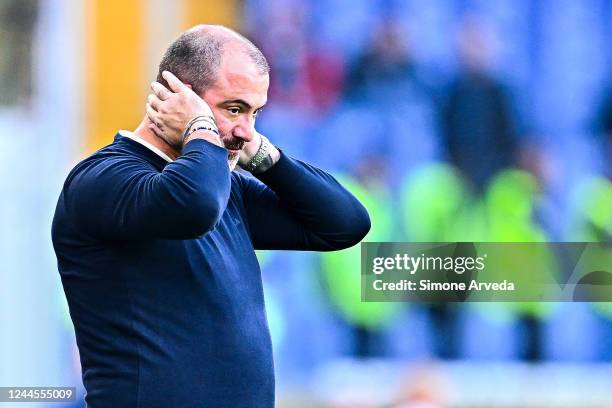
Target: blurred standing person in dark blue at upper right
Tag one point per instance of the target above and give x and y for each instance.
(479, 127)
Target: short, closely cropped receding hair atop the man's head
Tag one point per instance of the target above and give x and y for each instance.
(195, 56)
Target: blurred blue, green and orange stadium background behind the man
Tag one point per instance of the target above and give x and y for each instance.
(483, 120)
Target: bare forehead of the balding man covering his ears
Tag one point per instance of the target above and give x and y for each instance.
(239, 78)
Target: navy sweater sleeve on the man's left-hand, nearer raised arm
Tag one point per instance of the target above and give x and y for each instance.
(123, 198)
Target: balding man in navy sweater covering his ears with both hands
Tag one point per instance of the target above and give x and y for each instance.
(155, 236)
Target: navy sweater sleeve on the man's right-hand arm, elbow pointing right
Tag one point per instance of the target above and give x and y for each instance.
(301, 207)
